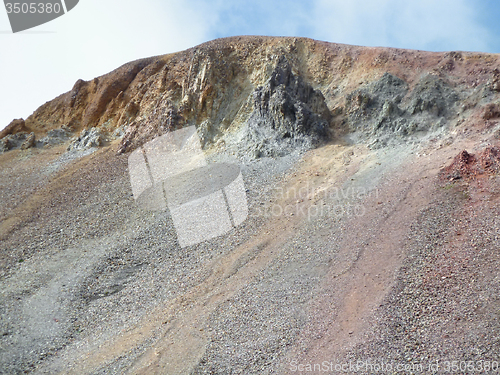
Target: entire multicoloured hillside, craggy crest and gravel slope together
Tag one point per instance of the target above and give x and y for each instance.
(372, 180)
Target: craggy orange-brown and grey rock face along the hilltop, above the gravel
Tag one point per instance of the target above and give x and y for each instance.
(277, 94)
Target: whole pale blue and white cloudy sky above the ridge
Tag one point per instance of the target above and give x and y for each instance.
(98, 36)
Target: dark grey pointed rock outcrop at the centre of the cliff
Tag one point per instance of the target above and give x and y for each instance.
(288, 115)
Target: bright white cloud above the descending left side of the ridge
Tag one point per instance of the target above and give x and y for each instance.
(92, 39)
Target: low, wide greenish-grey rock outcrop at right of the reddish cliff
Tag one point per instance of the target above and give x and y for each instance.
(386, 111)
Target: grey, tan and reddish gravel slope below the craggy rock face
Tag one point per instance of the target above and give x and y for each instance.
(397, 267)
